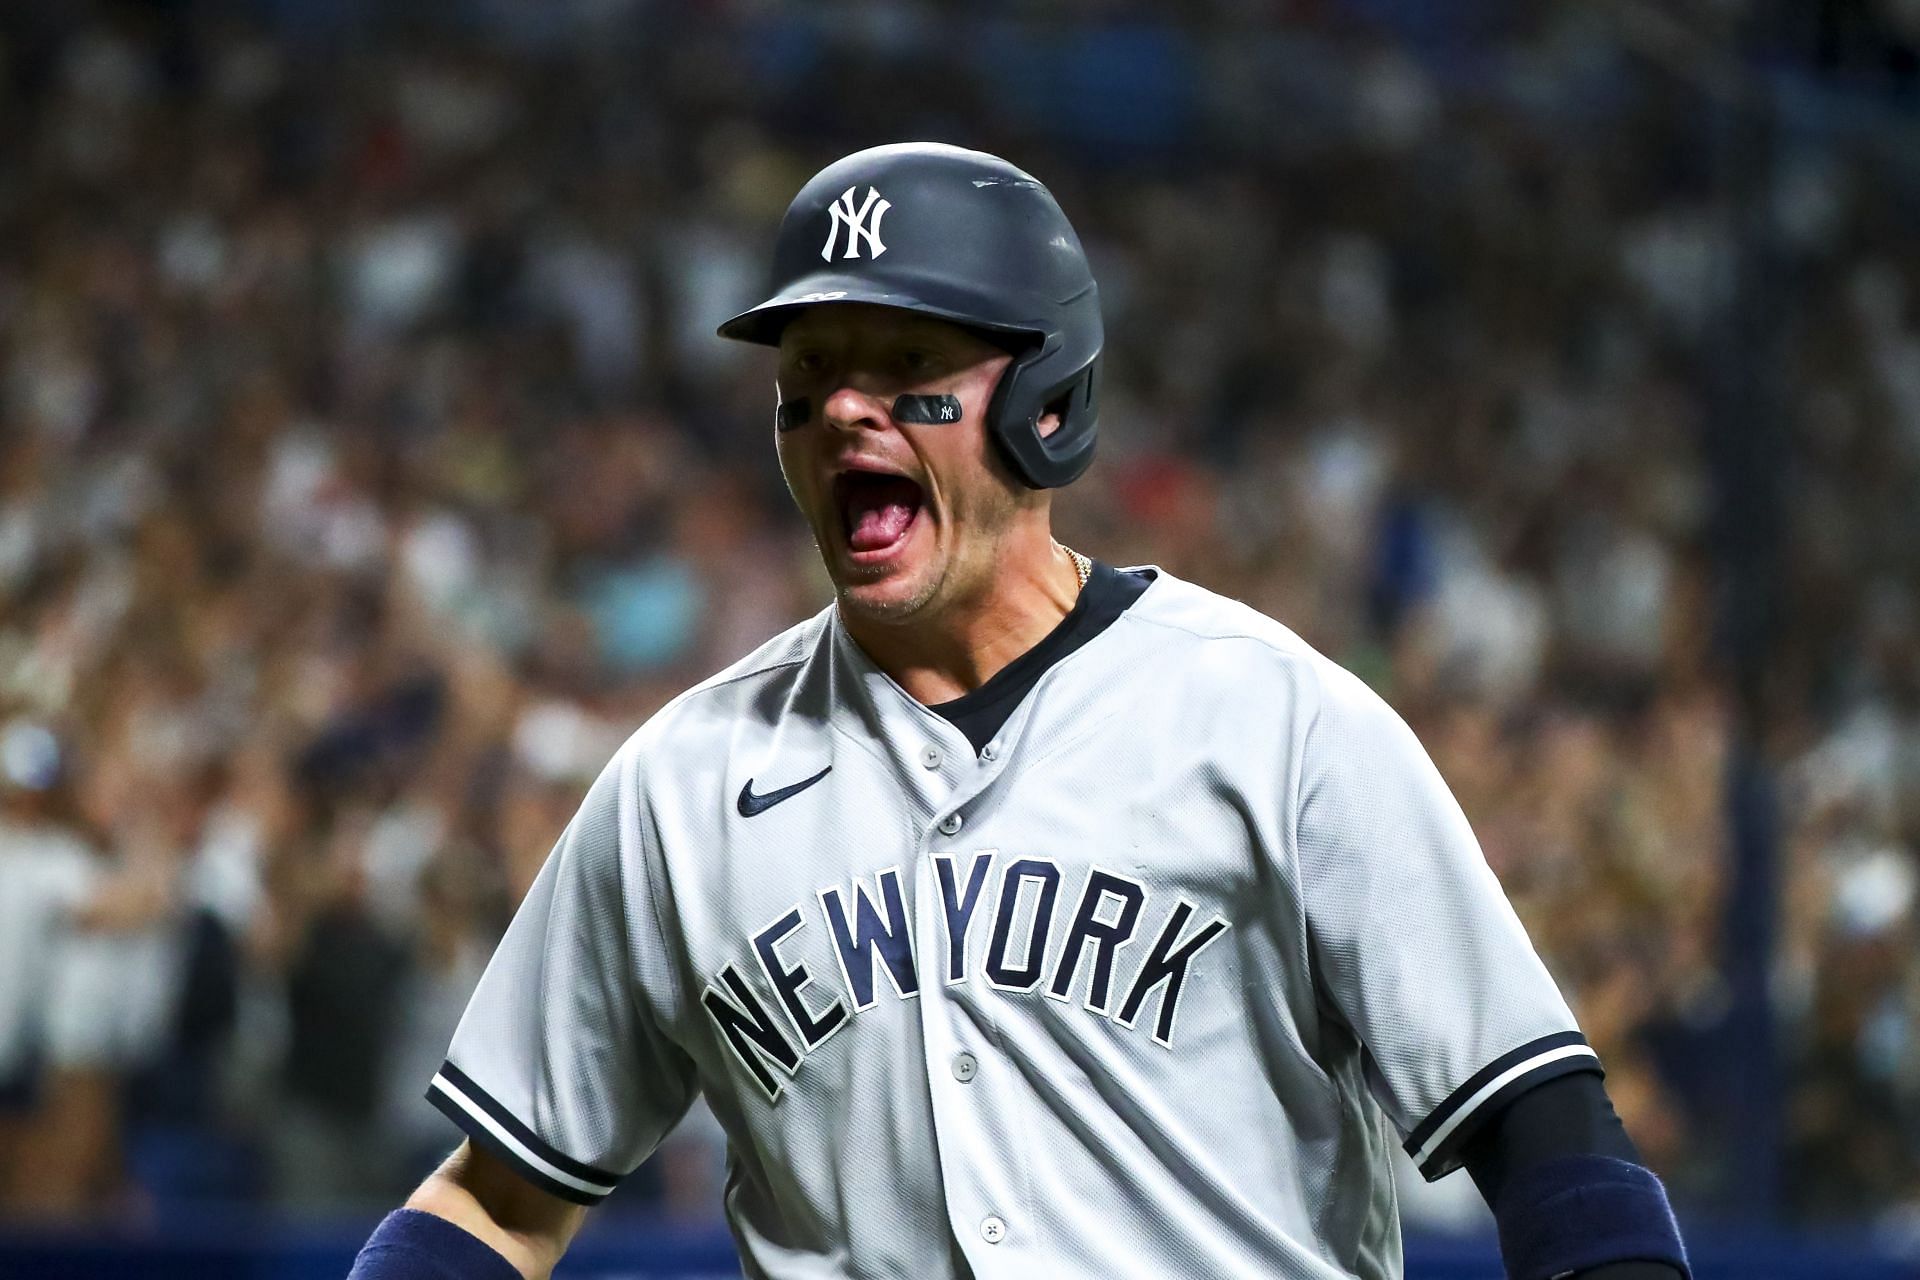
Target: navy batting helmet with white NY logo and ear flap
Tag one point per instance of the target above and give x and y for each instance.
(963, 237)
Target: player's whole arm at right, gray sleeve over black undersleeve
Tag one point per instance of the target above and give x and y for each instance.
(1474, 1051)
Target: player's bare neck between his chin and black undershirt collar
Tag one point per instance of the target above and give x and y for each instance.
(961, 648)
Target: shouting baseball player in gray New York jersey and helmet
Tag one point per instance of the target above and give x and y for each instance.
(1017, 914)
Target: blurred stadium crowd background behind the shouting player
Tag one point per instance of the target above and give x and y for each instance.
(370, 471)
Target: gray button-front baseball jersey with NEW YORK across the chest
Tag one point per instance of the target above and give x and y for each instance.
(1145, 987)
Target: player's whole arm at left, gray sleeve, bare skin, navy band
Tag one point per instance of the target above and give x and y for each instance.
(562, 1074)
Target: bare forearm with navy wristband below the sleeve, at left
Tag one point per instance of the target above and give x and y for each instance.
(473, 1220)
